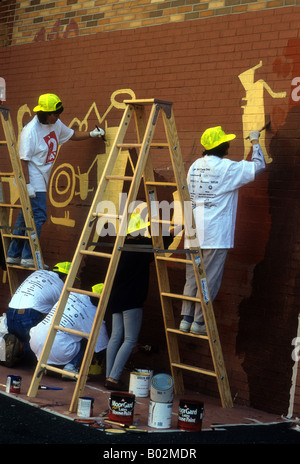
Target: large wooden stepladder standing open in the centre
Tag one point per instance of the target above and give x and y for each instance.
(146, 115)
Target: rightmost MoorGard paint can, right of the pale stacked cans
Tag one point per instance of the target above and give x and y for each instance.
(190, 414)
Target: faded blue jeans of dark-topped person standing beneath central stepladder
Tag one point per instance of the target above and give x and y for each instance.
(126, 327)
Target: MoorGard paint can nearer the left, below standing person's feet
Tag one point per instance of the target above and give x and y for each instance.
(121, 407)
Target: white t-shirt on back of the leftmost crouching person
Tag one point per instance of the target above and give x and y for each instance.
(40, 291)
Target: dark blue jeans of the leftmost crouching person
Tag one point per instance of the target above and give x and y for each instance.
(19, 324)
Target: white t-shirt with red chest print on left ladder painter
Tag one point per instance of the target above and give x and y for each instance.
(39, 146)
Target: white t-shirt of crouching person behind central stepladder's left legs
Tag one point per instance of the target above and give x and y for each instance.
(79, 314)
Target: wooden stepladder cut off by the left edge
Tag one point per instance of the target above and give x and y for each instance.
(12, 180)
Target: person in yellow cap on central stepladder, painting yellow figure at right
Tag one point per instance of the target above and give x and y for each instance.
(213, 183)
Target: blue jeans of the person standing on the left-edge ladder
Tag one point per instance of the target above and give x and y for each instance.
(19, 247)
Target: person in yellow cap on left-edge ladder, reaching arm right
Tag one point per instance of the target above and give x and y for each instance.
(38, 148)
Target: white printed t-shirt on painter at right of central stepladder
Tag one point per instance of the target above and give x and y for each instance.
(213, 184)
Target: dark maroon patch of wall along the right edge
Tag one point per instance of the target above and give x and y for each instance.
(269, 317)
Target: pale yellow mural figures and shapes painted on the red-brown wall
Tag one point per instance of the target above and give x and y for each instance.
(76, 182)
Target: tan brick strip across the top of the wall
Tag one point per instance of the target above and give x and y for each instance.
(40, 20)
